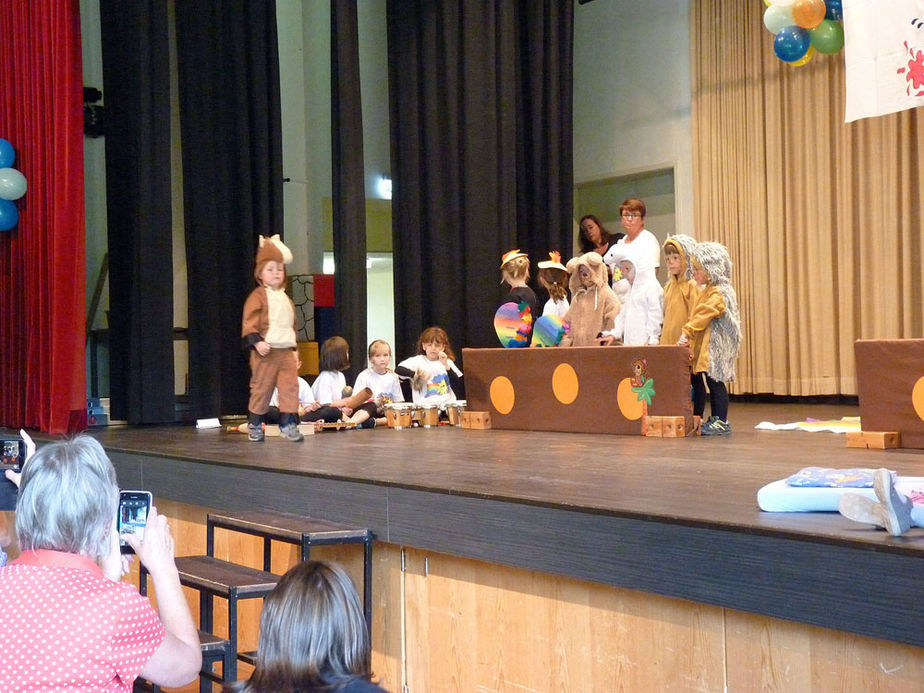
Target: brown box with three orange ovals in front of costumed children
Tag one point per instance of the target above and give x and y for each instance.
(579, 389)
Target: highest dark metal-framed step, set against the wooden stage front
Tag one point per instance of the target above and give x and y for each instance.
(300, 530)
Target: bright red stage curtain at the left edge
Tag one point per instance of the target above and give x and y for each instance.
(42, 272)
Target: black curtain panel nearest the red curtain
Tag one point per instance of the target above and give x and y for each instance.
(137, 96)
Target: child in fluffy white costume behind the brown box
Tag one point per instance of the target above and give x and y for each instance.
(639, 321)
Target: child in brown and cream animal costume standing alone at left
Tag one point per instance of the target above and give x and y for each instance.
(268, 331)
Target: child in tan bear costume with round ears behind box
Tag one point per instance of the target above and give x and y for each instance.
(594, 306)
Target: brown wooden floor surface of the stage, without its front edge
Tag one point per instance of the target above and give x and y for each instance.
(697, 481)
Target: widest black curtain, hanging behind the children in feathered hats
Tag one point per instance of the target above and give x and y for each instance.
(481, 154)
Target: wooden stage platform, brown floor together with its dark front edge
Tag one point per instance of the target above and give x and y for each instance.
(675, 517)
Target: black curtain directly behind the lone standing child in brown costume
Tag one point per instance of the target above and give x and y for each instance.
(232, 181)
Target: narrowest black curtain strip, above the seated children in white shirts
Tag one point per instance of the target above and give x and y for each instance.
(348, 183)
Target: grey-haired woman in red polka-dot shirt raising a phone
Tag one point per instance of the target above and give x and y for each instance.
(68, 622)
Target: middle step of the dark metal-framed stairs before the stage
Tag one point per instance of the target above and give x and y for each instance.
(217, 578)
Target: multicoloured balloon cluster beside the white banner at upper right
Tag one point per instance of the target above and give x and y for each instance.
(804, 27)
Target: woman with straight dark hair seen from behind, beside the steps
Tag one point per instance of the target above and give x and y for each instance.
(313, 636)
